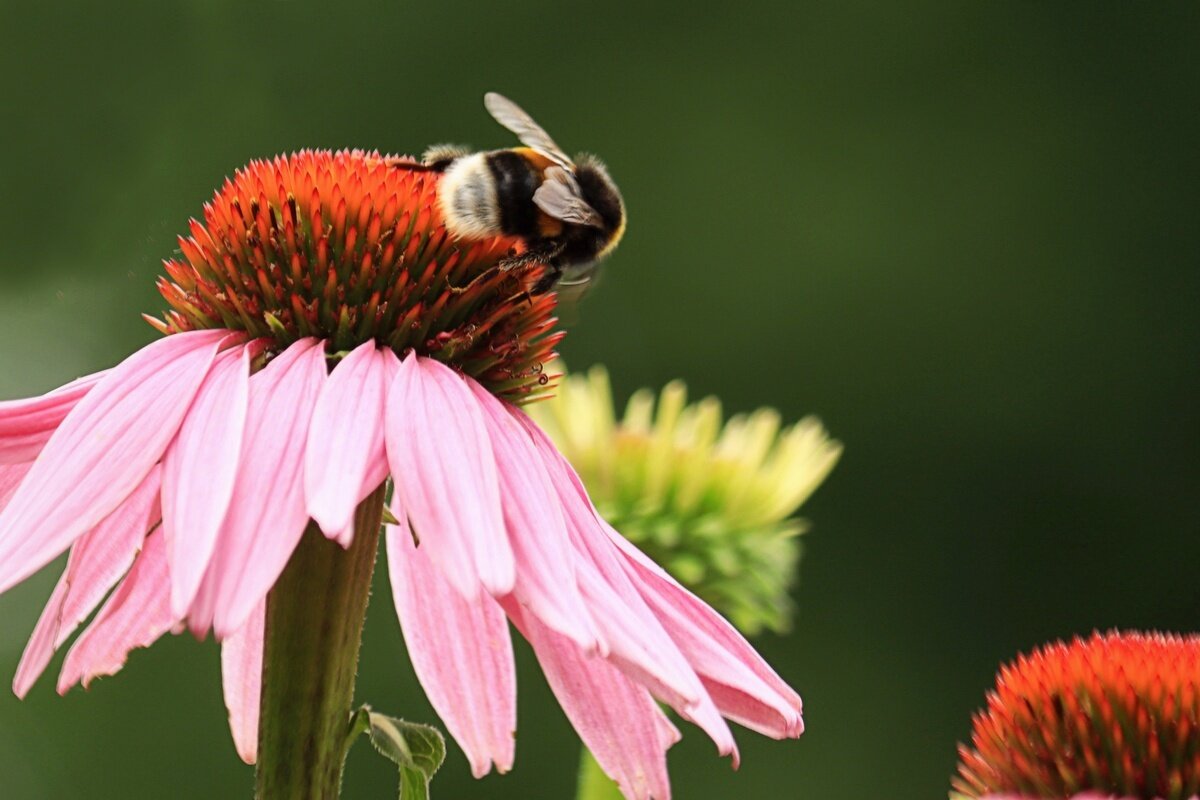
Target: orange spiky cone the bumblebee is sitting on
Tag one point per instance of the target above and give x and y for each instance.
(347, 248)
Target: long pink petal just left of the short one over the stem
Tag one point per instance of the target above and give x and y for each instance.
(267, 514)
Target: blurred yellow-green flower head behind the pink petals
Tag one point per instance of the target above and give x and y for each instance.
(712, 503)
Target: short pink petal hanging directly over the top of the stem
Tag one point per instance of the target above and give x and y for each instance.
(346, 460)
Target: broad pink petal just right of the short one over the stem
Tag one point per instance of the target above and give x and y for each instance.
(445, 471)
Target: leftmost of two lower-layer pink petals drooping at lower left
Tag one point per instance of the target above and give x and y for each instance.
(98, 562)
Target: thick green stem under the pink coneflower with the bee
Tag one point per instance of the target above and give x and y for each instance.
(311, 652)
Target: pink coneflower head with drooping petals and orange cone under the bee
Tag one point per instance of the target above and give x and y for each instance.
(325, 336)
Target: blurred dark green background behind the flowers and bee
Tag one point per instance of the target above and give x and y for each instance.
(964, 234)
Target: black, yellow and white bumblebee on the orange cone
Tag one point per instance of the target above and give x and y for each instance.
(569, 214)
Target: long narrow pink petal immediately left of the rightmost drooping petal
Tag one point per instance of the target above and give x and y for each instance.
(640, 646)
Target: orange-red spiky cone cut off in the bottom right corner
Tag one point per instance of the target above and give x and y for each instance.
(1117, 715)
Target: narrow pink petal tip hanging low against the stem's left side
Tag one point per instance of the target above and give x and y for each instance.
(242, 681)
